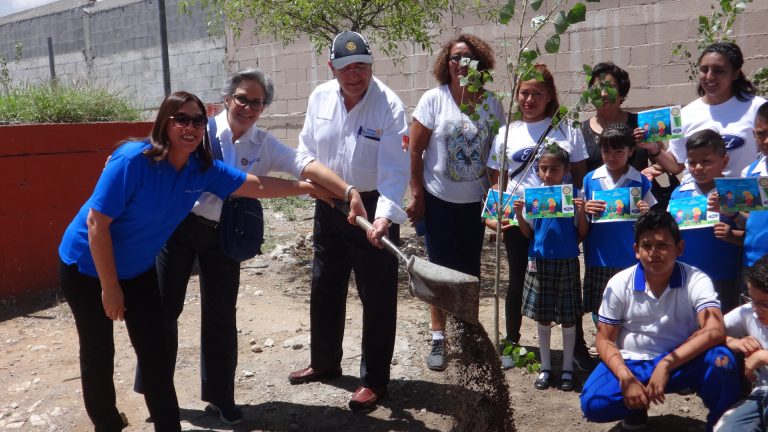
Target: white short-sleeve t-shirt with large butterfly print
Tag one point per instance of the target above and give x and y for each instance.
(455, 158)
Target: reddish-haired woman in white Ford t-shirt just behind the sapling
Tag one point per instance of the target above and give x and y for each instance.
(538, 103)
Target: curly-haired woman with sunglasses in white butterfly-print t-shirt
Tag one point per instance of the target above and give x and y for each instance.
(448, 175)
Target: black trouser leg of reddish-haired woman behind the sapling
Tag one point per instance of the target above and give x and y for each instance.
(516, 245)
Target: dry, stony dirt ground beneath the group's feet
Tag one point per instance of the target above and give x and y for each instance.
(40, 384)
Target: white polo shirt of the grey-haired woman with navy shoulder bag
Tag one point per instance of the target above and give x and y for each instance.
(257, 152)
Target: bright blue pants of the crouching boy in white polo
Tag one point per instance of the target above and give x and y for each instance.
(717, 386)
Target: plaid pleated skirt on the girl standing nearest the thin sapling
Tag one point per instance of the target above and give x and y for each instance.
(552, 293)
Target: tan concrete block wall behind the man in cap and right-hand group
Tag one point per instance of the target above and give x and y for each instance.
(638, 35)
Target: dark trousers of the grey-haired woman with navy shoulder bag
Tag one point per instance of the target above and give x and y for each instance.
(219, 285)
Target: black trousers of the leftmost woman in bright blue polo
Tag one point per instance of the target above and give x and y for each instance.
(143, 319)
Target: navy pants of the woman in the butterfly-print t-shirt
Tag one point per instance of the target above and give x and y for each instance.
(454, 234)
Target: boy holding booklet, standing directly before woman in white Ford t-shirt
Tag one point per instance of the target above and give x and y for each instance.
(714, 250)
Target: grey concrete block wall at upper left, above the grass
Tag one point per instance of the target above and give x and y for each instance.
(116, 43)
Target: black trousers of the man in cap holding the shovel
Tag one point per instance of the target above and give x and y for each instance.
(339, 249)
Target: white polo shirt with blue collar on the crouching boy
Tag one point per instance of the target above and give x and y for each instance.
(651, 326)
